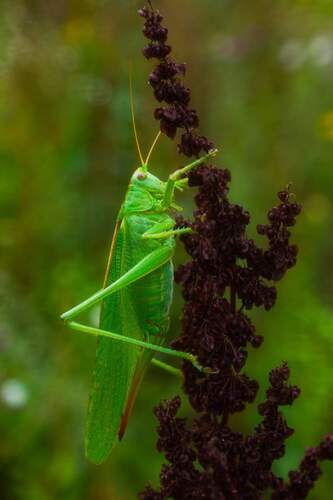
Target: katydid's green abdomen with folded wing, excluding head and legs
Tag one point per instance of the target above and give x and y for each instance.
(140, 311)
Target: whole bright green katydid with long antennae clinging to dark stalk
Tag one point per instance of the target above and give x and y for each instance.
(135, 299)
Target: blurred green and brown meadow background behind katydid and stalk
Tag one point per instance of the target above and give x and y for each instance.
(261, 74)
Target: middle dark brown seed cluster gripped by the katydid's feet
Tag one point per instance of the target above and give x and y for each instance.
(228, 274)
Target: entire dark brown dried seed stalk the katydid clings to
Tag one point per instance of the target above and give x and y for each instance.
(227, 275)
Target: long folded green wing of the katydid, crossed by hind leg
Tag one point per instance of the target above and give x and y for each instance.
(115, 361)
